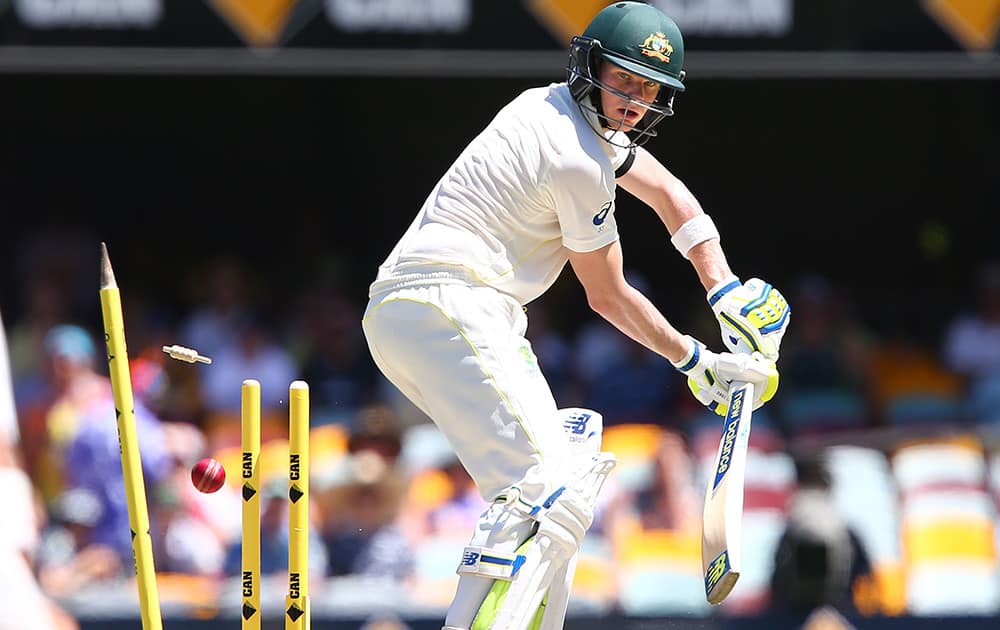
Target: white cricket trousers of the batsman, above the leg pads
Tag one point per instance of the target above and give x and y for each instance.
(458, 352)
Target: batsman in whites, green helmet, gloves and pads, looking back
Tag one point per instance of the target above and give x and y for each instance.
(446, 318)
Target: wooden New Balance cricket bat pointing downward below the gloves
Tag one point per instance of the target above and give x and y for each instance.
(723, 516)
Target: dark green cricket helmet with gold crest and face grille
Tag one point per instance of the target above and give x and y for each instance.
(640, 39)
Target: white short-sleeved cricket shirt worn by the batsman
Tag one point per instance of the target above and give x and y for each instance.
(536, 181)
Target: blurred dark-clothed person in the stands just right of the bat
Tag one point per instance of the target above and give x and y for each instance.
(819, 557)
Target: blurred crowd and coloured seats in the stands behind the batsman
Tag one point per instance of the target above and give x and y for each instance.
(872, 474)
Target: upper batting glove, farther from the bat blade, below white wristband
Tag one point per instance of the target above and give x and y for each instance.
(752, 316)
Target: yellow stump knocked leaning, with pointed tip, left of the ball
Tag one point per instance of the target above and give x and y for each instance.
(135, 490)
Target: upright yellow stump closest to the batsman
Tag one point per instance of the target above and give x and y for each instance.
(297, 611)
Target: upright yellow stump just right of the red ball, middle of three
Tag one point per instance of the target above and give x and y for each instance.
(250, 474)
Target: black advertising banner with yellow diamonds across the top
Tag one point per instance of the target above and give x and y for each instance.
(496, 25)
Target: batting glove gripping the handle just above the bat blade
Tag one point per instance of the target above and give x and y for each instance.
(710, 374)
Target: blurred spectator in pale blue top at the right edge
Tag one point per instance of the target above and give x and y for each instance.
(972, 346)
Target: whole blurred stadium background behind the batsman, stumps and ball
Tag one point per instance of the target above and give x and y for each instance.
(249, 163)
